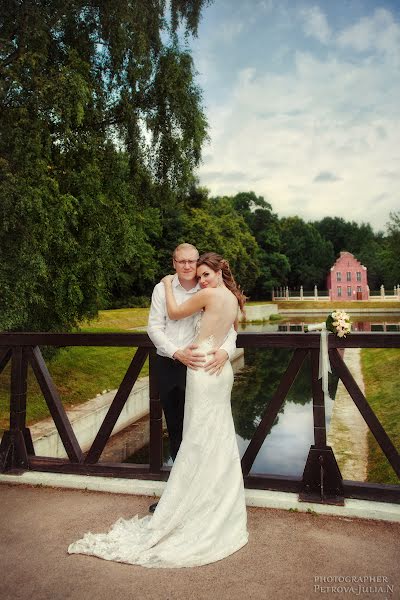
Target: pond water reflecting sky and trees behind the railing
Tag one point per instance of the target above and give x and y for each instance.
(285, 449)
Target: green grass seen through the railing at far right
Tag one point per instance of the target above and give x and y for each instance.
(381, 372)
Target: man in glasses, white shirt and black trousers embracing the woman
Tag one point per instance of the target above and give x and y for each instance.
(175, 352)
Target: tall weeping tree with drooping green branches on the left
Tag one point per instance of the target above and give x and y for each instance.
(100, 121)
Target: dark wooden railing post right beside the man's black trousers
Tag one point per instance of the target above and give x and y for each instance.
(156, 433)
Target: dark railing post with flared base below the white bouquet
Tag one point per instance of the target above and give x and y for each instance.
(322, 480)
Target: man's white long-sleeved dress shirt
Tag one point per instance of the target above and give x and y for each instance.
(167, 335)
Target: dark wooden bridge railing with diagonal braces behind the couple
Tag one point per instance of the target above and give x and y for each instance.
(321, 480)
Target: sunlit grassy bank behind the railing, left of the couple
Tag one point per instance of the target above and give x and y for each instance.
(80, 373)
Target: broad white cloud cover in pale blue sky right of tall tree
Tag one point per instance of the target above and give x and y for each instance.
(320, 136)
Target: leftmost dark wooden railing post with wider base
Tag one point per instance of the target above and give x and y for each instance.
(16, 443)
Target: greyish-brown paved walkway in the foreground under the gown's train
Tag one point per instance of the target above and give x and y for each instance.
(288, 554)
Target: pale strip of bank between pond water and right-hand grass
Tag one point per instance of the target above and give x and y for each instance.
(348, 431)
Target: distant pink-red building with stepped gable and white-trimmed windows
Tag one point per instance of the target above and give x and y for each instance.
(347, 279)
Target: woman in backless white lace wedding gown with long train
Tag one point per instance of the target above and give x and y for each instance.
(201, 516)
